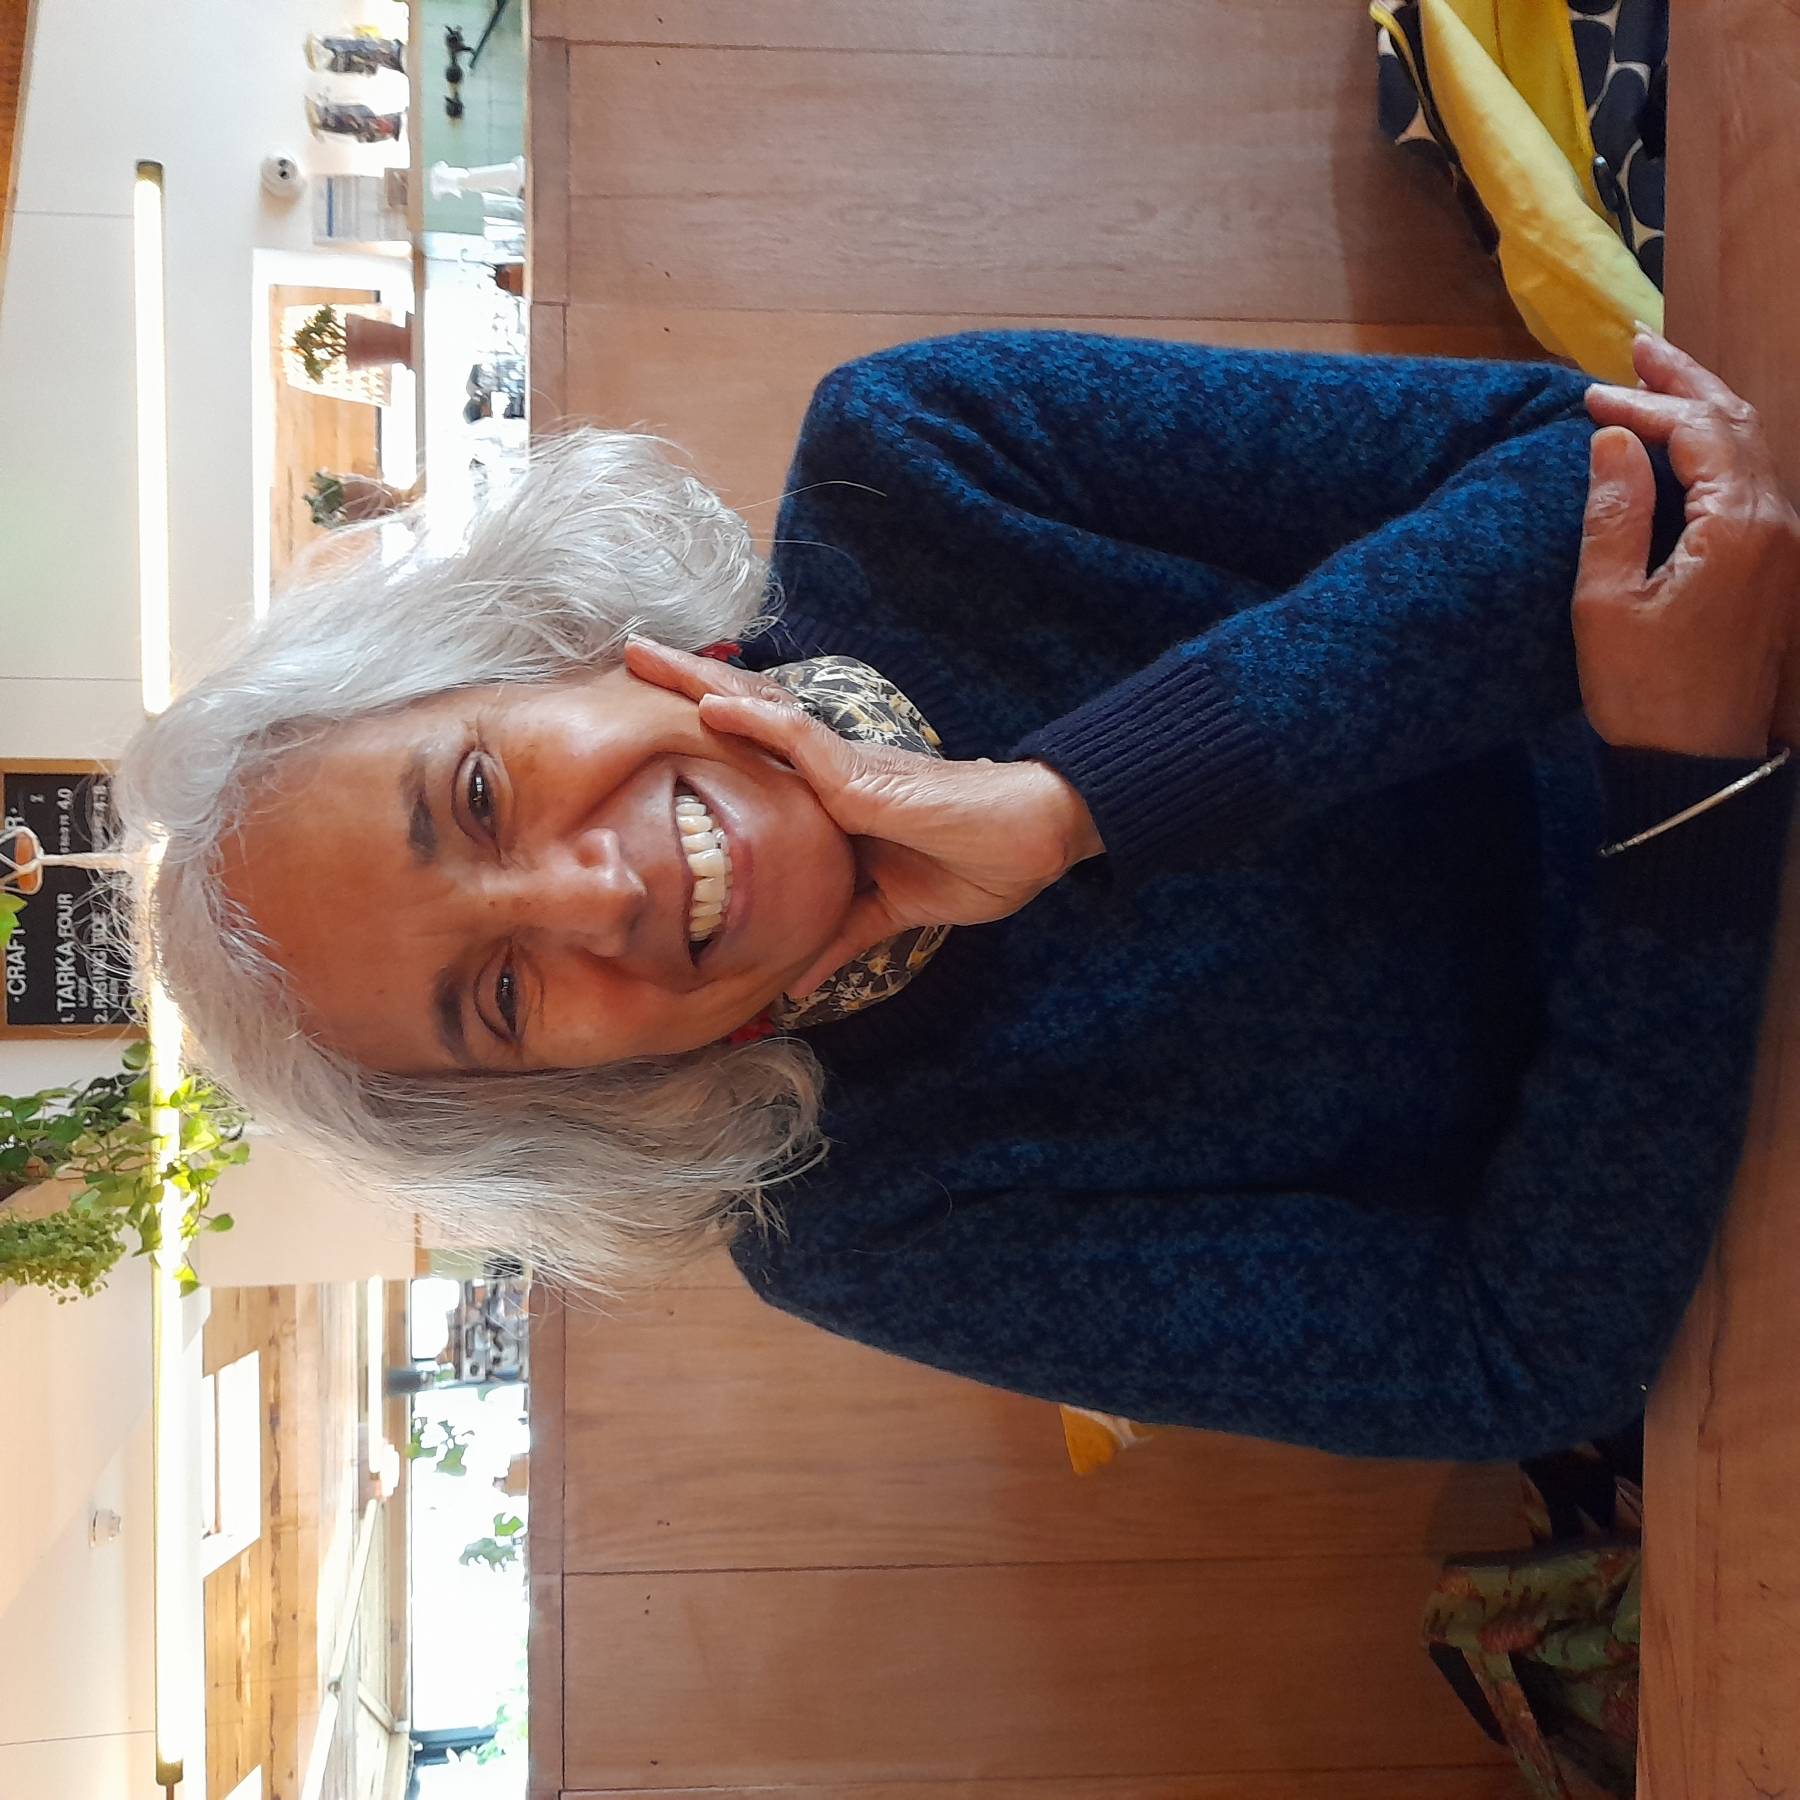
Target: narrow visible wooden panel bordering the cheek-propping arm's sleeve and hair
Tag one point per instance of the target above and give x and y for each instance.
(732, 386)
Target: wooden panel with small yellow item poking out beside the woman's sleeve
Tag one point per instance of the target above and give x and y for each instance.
(708, 1432)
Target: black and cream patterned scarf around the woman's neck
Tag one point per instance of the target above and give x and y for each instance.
(858, 703)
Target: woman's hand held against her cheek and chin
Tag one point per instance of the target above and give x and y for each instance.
(939, 843)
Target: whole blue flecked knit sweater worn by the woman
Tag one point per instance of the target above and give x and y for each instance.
(1349, 1099)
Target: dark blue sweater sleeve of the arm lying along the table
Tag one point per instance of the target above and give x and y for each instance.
(1527, 1313)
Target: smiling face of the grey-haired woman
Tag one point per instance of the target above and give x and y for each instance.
(503, 879)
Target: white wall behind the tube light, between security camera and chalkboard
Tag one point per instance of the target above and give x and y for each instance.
(208, 91)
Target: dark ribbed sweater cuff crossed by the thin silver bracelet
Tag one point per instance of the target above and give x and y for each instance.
(1716, 876)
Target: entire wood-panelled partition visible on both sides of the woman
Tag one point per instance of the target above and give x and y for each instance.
(768, 1561)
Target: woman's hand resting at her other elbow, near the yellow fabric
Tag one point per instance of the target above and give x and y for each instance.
(1691, 658)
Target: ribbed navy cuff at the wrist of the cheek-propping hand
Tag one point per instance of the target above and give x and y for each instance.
(1165, 764)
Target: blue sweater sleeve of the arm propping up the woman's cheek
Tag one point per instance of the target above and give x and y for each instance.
(1405, 532)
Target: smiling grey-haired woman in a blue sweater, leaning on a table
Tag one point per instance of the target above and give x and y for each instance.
(1340, 1039)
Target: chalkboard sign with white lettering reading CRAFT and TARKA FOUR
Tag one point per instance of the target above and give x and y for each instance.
(64, 969)
